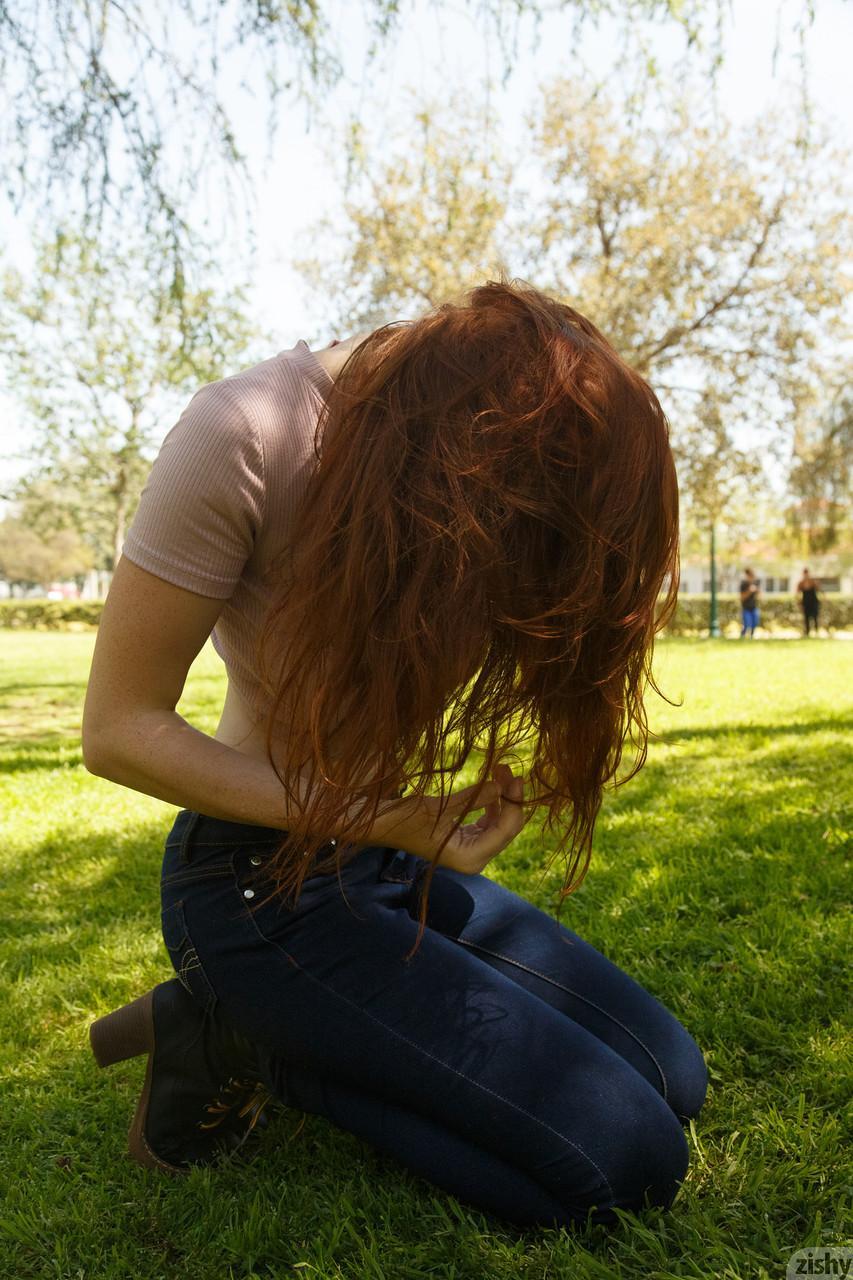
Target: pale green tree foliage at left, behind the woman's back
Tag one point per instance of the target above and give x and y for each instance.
(101, 351)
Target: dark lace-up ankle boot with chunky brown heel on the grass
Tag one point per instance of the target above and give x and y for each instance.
(202, 1095)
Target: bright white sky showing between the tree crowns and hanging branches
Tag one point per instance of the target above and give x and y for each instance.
(434, 53)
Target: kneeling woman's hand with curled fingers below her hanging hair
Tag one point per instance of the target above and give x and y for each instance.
(417, 825)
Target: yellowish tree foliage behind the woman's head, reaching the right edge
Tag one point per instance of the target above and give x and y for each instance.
(668, 226)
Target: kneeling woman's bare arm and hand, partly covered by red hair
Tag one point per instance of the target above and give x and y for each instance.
(149, 637)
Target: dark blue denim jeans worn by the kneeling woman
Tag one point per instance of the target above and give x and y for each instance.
(508, 1062)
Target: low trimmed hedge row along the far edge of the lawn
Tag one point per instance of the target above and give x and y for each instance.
(691, 618)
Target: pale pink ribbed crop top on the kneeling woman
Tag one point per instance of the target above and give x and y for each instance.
(222, 495)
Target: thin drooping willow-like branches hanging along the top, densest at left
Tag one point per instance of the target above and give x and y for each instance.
(110, 94)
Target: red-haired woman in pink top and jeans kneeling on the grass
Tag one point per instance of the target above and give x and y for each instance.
(431, 545)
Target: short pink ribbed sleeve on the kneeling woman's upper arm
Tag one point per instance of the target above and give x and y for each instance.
(203, 504)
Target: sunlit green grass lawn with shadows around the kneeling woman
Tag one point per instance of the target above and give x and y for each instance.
(720, 880)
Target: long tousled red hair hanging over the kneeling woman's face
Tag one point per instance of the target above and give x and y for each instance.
(486, 550)
